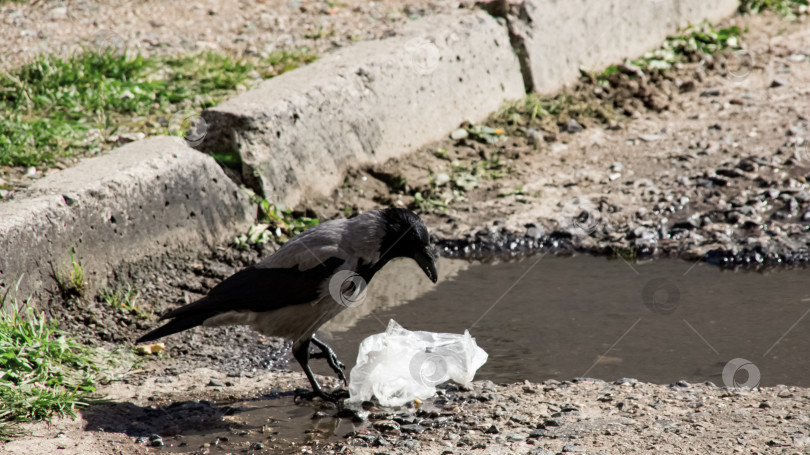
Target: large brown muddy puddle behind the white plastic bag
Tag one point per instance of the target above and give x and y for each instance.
(661, 321)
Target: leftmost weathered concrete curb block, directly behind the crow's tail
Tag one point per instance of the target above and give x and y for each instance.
(140, 200)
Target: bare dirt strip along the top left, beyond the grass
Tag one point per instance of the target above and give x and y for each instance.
(235, 27)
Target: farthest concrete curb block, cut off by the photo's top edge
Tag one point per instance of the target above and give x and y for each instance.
(593, 34)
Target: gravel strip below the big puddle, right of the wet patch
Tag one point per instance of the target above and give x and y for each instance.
(640, 416)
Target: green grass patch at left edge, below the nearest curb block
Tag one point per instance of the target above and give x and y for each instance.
(43, 372)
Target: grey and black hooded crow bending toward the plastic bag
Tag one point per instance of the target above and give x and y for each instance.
(308, 281)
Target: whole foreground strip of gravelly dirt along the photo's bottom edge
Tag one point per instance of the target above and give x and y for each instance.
(587, 416)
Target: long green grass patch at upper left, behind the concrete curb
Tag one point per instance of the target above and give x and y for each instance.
(60, 107)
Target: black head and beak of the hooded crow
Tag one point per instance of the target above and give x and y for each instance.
(407, 236)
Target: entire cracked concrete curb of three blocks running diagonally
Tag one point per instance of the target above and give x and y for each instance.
(296, 134)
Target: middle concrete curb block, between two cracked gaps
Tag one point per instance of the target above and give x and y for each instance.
(297, 133)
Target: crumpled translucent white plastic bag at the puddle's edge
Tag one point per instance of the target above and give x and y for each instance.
(399, 365)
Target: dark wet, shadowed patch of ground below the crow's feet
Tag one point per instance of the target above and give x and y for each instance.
(273, 423)
